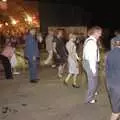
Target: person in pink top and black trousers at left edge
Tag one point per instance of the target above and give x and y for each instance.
(5, 58)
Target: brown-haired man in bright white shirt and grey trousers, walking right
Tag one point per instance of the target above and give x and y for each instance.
(90, 61)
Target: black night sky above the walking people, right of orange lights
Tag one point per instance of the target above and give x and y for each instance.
(103, 13)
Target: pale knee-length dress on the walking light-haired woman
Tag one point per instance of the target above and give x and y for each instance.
(72, 59)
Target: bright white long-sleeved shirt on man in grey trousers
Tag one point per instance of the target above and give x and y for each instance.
(91, 52)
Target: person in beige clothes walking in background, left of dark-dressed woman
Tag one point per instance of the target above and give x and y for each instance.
(49, 46)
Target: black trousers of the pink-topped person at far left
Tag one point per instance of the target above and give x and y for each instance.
(7, 66)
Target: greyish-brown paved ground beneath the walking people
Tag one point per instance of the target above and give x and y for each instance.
(49, 99)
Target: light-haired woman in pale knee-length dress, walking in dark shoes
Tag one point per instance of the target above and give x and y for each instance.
(73, 59)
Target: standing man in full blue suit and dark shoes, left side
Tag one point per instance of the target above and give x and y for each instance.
(32, 54)
